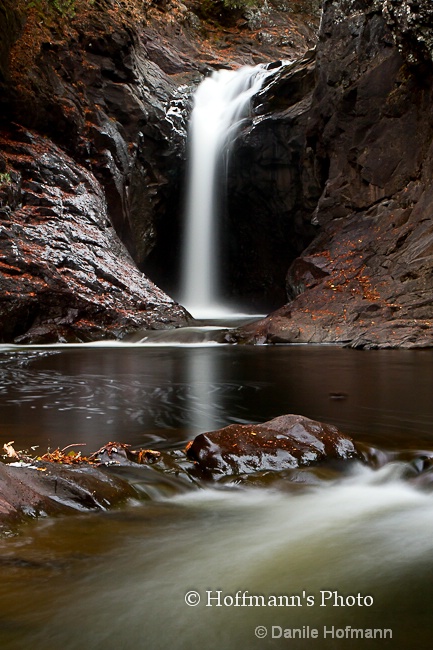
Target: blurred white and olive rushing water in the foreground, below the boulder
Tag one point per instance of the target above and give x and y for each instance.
(119, 580)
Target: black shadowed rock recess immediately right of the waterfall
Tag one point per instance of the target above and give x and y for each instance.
(269, 204)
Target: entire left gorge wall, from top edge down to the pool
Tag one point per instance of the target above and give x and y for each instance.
(83, 129)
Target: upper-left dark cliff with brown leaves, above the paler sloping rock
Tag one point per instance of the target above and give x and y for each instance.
(100, 95)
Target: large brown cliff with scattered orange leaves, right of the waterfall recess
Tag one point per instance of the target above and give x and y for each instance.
(362, 144)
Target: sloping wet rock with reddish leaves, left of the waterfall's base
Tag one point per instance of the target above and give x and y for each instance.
(64, 275)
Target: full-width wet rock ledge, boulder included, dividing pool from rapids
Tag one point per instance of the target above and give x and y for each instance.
(290, 453)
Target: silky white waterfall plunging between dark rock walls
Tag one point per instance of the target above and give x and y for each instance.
(221, 103)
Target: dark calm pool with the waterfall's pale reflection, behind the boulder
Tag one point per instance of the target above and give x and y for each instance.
(162, 396)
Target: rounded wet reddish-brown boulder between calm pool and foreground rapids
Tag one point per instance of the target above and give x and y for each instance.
(286, 442)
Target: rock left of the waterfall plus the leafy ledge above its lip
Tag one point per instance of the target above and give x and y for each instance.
(98, 95)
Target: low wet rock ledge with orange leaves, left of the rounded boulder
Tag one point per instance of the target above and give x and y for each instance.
(65, 481)
